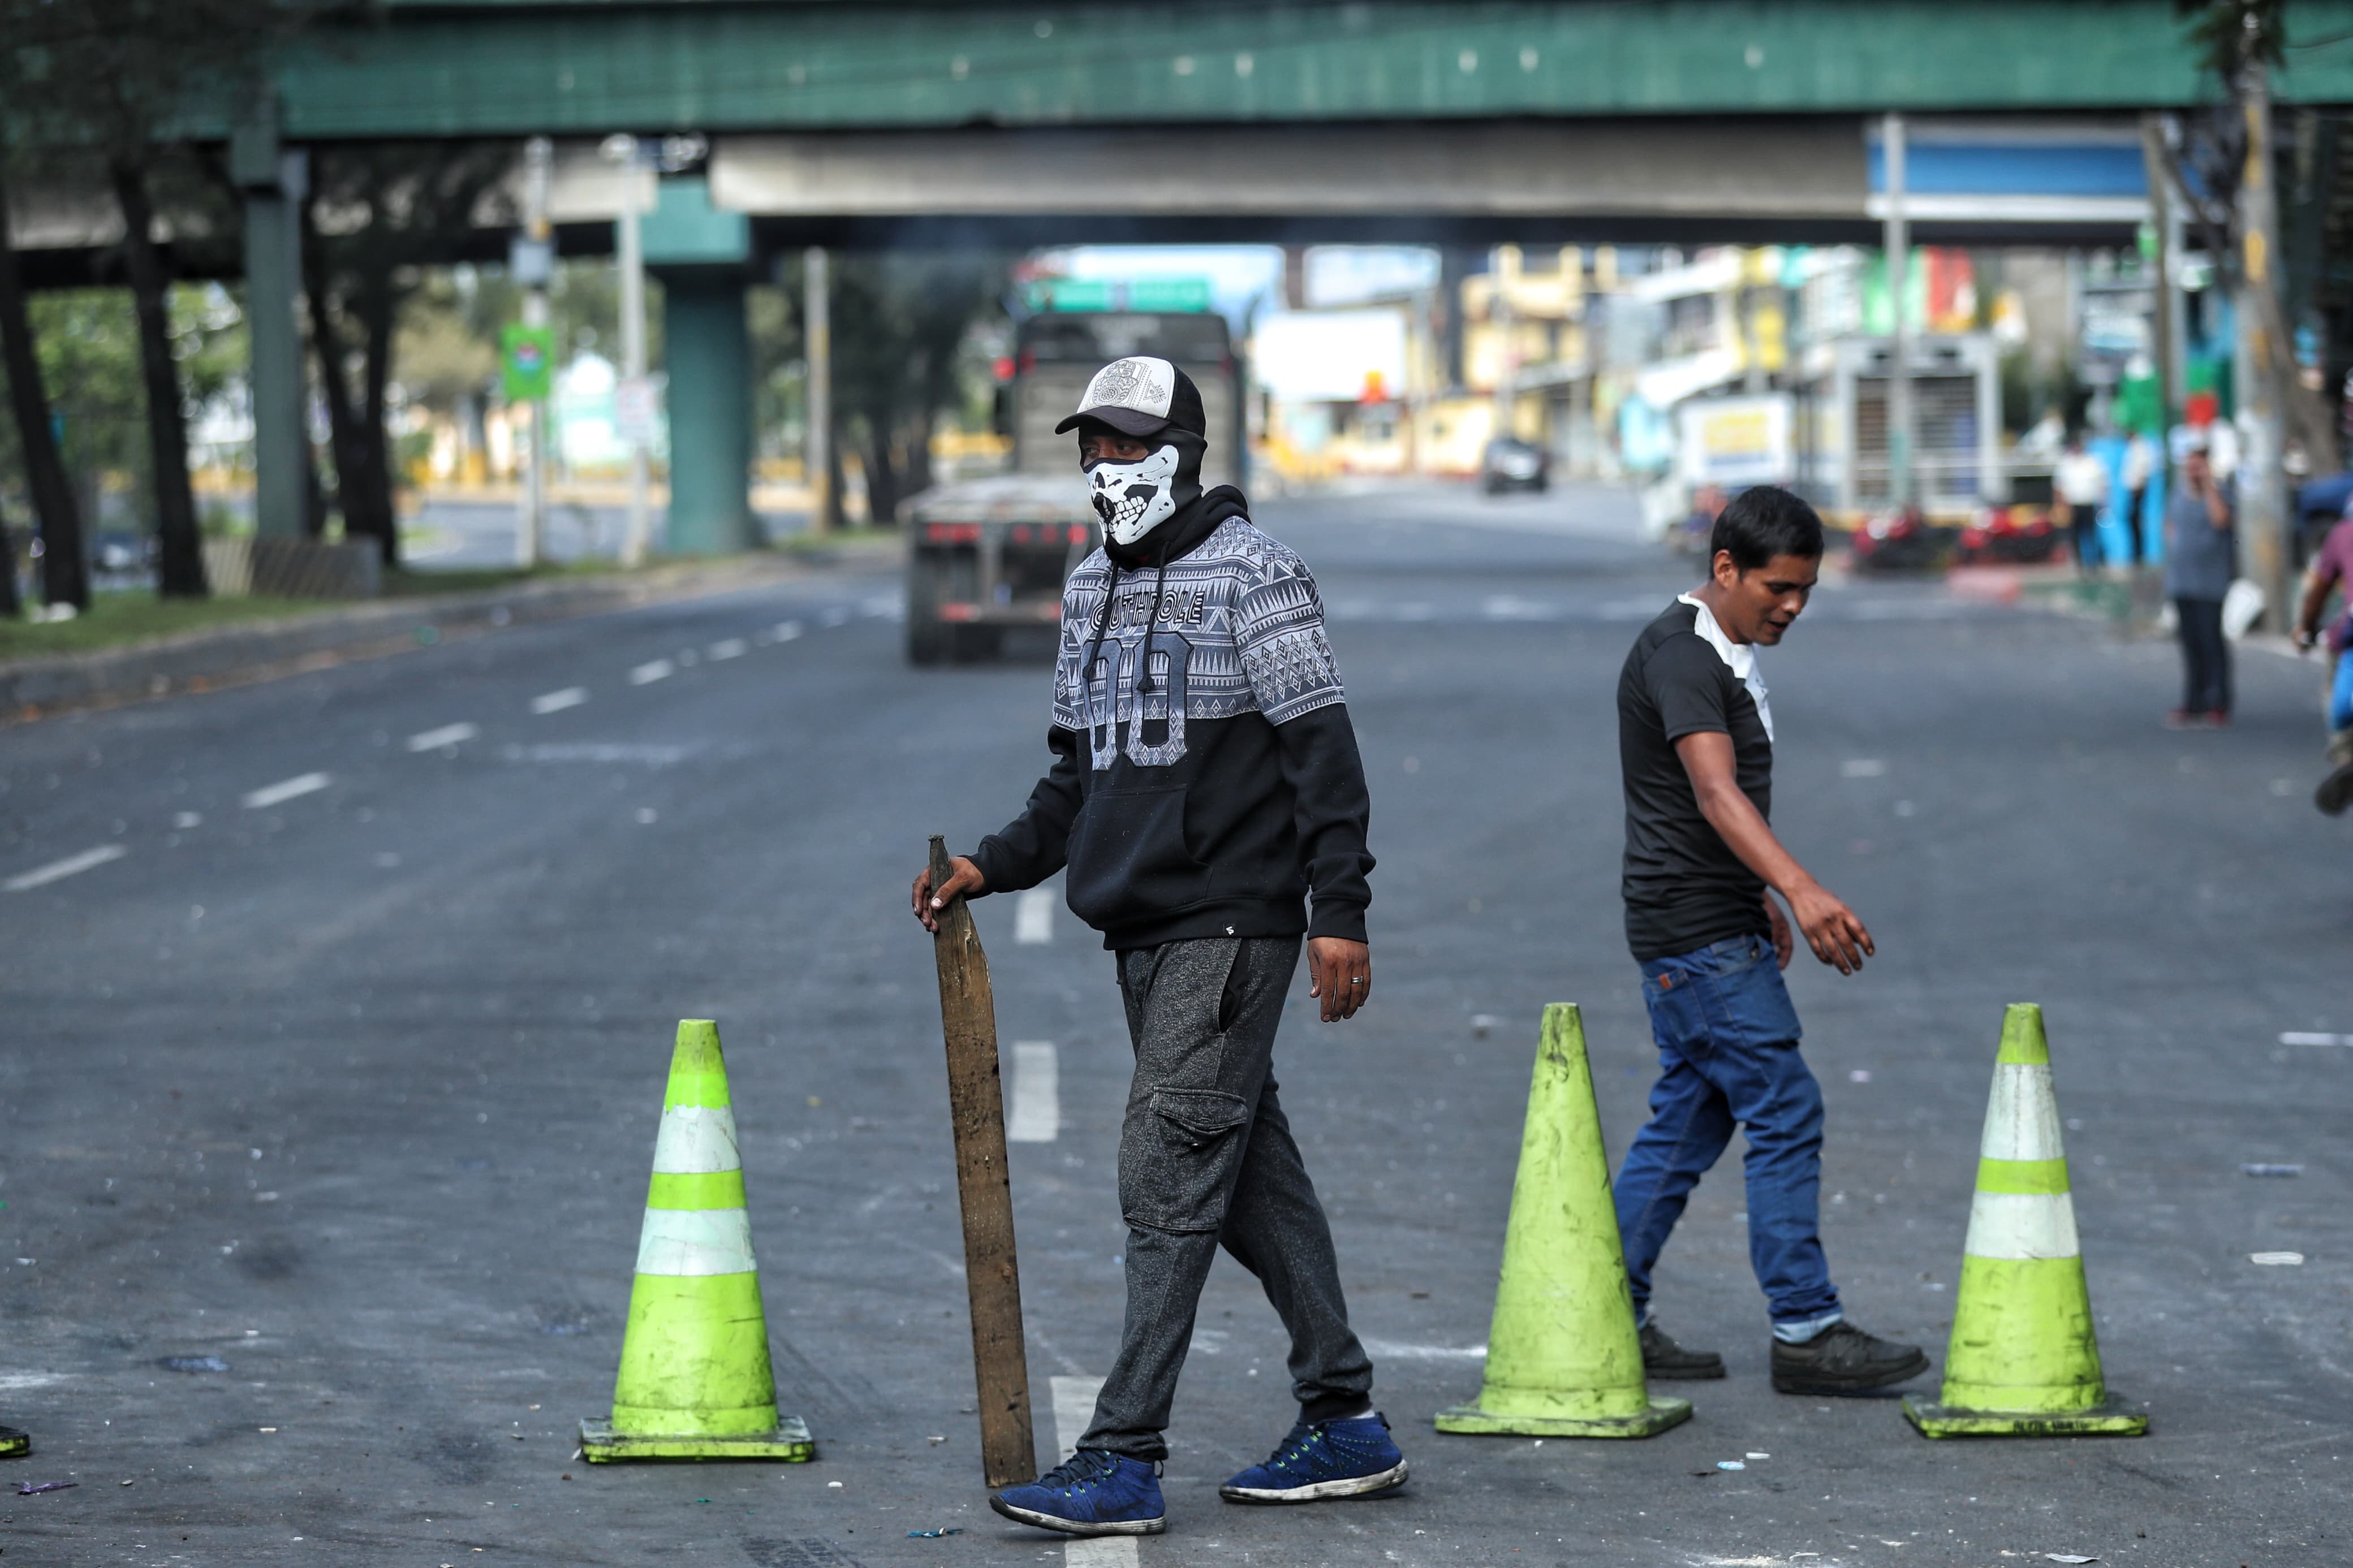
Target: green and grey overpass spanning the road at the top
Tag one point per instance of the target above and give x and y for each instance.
(1218, 121)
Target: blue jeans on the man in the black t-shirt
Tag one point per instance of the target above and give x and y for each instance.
(1728, 1057)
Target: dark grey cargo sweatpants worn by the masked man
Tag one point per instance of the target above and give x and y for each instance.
(1208, 1160)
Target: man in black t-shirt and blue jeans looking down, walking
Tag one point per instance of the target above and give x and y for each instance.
(1695, 746)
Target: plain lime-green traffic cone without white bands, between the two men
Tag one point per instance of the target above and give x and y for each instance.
(1564, 1358)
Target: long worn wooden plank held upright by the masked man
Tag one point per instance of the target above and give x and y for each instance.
(968, 1021)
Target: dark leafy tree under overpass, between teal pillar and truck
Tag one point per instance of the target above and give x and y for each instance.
(900, 326)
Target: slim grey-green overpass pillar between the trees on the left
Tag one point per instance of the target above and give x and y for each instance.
(274, 185)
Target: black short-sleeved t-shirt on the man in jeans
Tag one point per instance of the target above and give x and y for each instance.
(1684, 883)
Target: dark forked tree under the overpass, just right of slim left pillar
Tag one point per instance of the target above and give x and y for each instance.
(375, 220)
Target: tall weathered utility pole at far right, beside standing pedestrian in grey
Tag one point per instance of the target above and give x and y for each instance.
(2262, 483)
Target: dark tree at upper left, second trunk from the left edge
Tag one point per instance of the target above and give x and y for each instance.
(112, 81)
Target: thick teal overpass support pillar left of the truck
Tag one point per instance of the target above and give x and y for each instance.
(705, 264)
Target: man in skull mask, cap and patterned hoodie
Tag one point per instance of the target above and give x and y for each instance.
(1206, 796)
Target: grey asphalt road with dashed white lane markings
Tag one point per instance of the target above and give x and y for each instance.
(354, 1094)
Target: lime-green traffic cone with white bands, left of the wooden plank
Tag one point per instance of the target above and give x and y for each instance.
(695, 1379)
